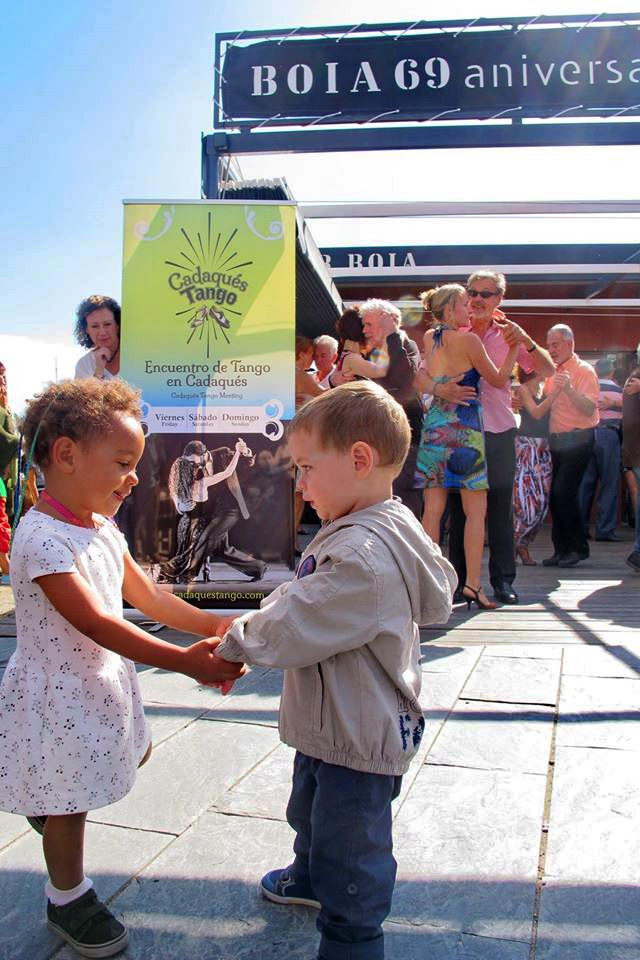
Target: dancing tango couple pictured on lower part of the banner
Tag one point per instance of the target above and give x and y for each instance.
(206, 492)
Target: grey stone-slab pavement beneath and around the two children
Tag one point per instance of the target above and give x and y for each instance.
(517, 832)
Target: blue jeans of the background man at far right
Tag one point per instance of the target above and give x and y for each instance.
(604, 465)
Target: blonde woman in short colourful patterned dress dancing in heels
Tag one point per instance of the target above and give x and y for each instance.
(452, 452)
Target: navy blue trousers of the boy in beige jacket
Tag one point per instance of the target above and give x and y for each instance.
(344, 851)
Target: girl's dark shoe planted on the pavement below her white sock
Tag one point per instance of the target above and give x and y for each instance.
(90, 928)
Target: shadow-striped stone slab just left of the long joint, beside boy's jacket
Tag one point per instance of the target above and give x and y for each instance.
(496, 736)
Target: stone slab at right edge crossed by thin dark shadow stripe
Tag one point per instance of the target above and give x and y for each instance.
(599, 712)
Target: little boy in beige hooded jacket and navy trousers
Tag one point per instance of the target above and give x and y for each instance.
(345, 632)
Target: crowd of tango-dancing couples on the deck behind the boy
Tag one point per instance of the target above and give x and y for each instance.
(504, 429)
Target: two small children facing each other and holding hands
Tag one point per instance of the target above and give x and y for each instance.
(345, 631)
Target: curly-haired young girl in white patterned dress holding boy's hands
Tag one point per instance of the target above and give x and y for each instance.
(72, 726)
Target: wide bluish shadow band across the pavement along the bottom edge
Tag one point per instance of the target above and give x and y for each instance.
(199, 918)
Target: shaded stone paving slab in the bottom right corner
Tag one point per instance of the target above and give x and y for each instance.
(589, 922)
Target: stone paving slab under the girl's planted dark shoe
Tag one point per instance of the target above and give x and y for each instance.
(112, 856)
